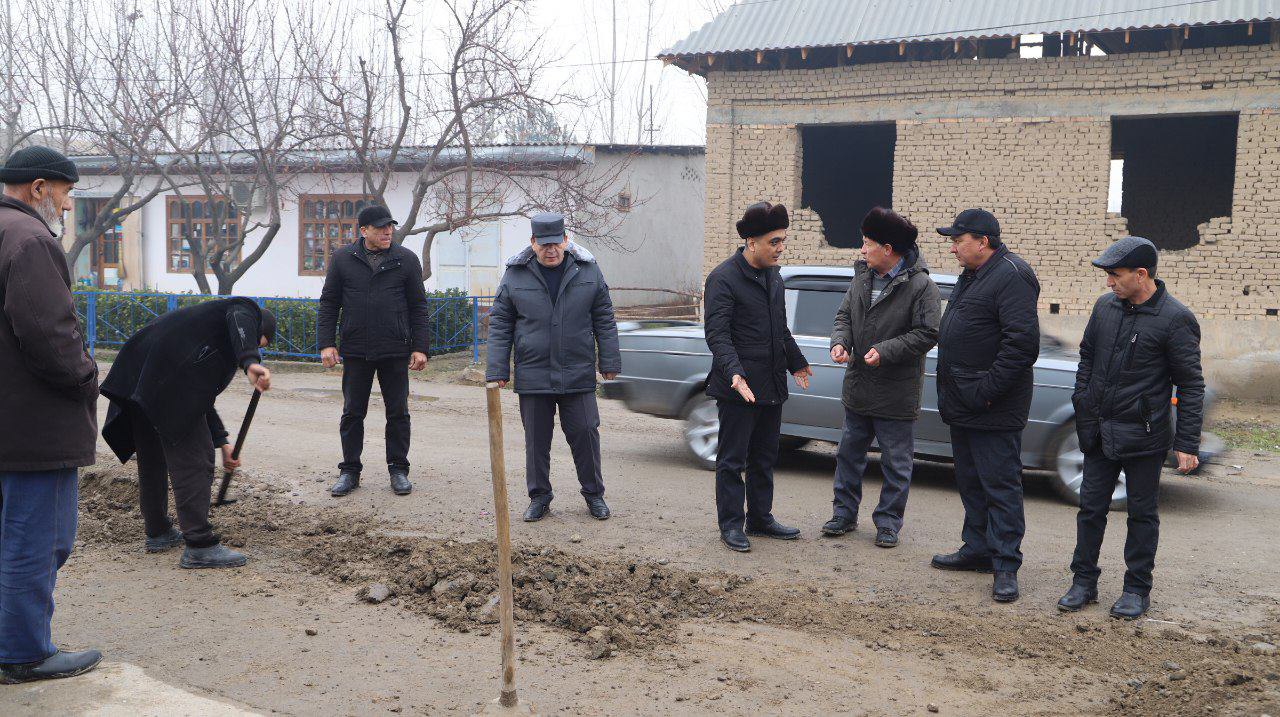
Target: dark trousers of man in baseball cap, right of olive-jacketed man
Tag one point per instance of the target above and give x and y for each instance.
(990, 478)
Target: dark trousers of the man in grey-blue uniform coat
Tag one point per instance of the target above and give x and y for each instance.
(580, 421)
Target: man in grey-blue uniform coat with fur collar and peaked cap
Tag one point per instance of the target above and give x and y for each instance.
(554, 312)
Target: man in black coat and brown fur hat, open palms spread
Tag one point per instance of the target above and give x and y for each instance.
(752, 354)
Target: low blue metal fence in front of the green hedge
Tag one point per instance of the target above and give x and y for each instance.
(112, 318)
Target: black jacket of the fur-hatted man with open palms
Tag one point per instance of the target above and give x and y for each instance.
(747, 331)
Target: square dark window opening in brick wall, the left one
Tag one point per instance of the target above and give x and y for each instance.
(847, 171)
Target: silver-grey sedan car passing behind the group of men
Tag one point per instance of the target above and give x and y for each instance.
(666, 367)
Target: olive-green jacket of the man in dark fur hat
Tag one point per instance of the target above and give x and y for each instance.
(902, 326)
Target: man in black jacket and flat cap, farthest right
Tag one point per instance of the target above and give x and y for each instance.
(1140, 344)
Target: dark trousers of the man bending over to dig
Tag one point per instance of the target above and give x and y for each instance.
(189, 465)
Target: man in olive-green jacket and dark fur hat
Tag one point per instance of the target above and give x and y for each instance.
(886, 326)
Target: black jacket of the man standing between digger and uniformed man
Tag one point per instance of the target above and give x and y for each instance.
(385, 313)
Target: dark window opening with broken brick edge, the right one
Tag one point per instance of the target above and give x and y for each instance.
(1178, 173)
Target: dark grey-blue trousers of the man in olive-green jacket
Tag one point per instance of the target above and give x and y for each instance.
(898, 450)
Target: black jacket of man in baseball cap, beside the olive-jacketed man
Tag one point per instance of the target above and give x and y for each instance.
(989, 344)
